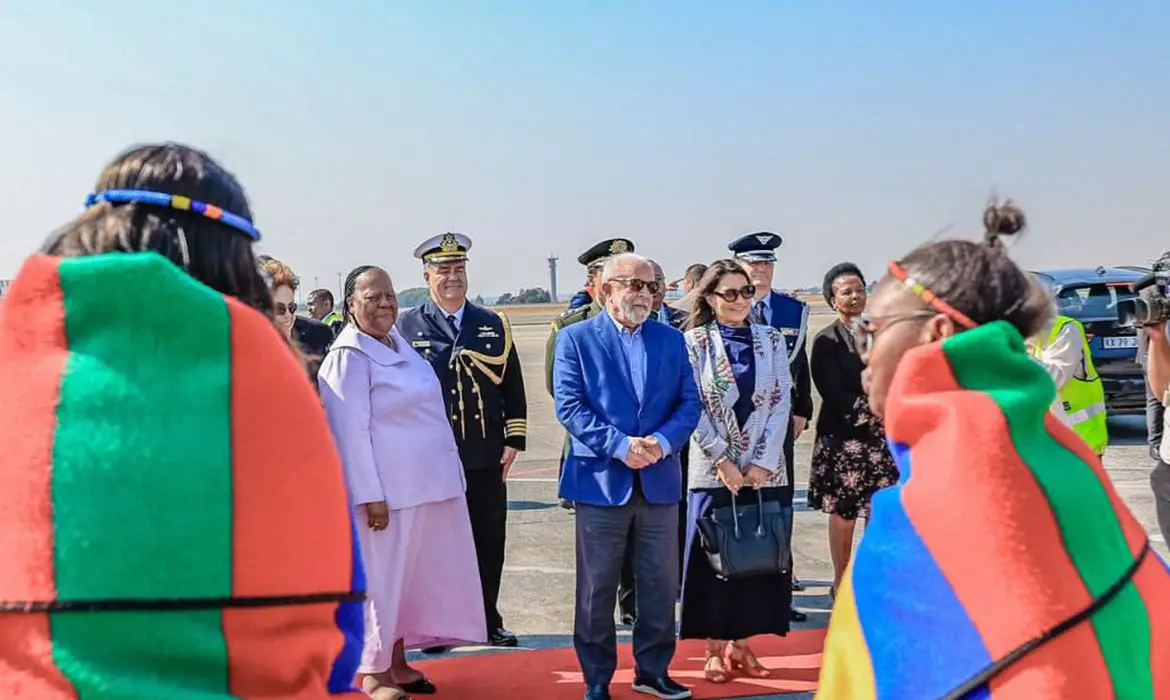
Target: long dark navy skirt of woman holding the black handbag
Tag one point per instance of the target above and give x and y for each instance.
(738, 609)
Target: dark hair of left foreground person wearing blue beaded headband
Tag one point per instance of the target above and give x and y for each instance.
(214, 253)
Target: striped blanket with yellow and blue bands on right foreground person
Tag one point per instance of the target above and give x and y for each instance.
(1002, 526)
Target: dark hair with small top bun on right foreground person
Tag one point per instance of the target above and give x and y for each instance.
(980, 279)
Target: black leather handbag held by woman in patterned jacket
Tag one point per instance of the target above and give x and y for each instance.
(742, 541)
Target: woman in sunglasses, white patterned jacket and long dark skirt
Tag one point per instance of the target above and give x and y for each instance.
(742, 374)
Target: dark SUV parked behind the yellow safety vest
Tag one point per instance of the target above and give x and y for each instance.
(1091, 297)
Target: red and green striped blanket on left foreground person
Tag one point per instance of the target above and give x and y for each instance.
(166, 470)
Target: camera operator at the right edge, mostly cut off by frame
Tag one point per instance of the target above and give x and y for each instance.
(1155, 348)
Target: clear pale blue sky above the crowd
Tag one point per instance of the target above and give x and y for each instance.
(856, 129)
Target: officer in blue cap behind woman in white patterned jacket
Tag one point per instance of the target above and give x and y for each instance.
(789, 315)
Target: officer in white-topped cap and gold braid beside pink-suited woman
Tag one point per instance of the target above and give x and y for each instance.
(473, 352)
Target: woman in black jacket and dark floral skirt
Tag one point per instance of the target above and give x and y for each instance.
(850, 462)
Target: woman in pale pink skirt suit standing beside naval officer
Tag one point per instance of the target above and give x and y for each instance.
(387, 410)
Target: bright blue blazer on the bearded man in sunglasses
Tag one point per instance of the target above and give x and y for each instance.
(597, 404)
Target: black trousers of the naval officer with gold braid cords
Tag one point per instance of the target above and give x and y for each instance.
(487, 505)
